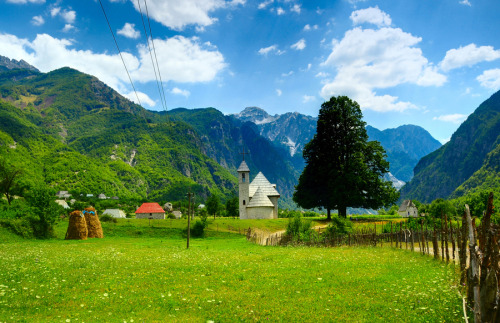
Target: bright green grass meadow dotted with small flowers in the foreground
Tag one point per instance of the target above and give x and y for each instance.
(151, 277)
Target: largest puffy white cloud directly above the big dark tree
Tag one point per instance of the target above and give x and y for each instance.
(368, 59)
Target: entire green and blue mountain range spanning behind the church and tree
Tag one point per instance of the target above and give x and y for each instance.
(74, 132)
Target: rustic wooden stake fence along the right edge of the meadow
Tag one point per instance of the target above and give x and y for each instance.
(475, 249)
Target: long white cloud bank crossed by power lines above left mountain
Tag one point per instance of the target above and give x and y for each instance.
(181, 60)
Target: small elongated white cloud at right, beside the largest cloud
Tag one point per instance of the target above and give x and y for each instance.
(468, 56)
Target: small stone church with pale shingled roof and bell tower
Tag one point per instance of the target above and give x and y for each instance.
(258, 199)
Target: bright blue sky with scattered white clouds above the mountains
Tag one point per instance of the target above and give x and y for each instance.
(423, 62)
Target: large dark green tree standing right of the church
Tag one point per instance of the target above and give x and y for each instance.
(343, 169)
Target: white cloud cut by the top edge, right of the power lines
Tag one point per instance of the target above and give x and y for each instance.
(177, 14)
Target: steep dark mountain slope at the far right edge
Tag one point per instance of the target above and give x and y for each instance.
(471, 148)
